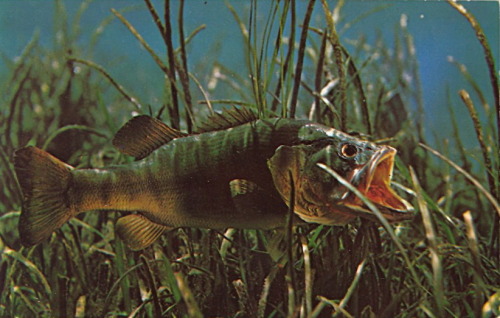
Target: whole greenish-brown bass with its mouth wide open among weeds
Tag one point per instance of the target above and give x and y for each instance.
(236, 171)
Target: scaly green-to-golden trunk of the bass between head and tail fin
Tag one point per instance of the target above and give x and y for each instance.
(186, 181)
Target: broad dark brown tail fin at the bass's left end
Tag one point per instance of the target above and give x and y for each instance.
(44, 182)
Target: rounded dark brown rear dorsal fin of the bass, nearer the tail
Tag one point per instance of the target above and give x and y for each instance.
(142, 135)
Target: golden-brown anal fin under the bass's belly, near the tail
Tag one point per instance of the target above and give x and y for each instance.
(138, 232)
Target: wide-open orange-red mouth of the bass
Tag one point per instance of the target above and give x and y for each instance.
(374, 181)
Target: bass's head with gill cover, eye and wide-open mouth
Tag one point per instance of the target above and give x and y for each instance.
(317, 195)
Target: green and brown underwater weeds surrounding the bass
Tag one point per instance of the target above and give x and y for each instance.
(445, 262)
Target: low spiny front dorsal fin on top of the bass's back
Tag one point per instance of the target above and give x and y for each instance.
(227, 119)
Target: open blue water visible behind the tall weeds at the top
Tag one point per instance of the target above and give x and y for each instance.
(439, 31)
